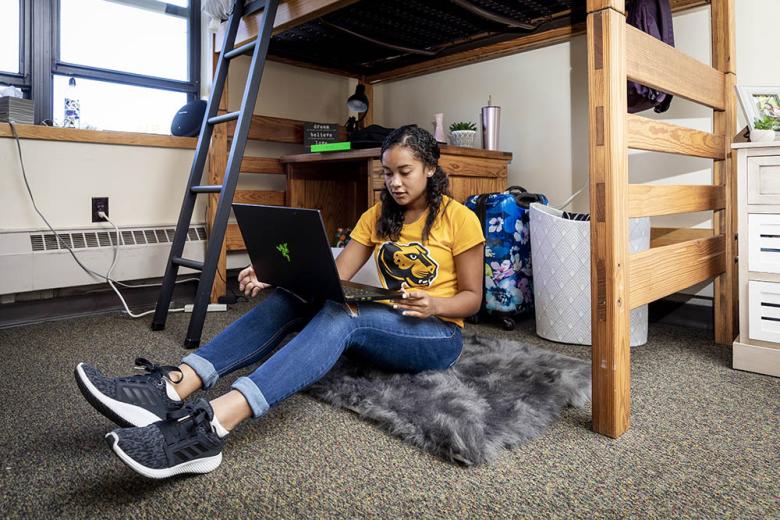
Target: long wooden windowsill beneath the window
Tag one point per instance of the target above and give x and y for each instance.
(48, 133)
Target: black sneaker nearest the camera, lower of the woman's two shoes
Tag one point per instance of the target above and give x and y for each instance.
(183, 443)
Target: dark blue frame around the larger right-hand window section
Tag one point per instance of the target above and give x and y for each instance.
(44, 27)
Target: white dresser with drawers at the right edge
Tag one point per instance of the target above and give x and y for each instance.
(757, 348)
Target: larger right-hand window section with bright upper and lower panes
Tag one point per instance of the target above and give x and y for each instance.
(145, 67)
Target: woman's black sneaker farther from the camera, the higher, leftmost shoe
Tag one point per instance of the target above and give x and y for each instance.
(130, 401)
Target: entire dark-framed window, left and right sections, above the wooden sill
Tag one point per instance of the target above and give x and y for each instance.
(135, 62)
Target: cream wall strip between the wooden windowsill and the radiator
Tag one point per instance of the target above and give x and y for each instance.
(145, 186)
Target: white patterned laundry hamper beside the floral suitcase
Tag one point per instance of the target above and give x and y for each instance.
(560, 257)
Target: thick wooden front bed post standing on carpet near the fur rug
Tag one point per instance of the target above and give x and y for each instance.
(608, 163)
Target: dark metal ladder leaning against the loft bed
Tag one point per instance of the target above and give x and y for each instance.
(258, 49)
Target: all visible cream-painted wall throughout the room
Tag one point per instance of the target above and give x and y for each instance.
(543, 95)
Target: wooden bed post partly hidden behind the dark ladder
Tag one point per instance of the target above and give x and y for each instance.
(218, 152)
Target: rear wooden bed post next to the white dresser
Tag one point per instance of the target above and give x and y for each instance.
(724, 172)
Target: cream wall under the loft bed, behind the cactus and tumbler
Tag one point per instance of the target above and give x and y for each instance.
(543, 99)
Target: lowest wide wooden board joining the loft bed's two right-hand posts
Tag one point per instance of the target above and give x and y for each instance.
(662, 271)
